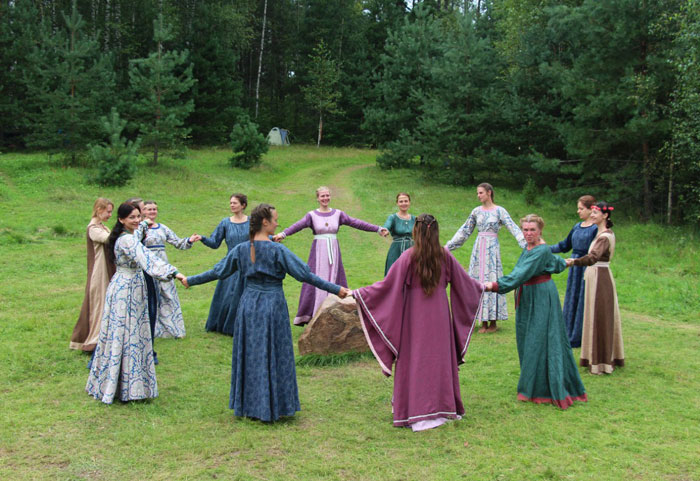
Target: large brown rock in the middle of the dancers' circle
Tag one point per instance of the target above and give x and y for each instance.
(334, 329)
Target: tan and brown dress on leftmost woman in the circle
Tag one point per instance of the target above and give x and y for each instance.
(100, 271)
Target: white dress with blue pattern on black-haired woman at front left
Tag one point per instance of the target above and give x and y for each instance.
(122, 366)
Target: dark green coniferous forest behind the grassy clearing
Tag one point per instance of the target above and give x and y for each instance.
(566, 96)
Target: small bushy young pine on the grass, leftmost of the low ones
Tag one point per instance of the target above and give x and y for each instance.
(115, 160)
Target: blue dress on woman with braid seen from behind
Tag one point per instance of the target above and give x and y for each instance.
(263, 375)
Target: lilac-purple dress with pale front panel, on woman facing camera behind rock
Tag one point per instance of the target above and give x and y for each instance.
(324, 259)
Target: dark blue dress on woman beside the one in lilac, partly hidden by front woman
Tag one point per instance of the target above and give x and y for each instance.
(222, 312)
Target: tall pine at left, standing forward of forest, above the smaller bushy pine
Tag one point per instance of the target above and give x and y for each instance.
(158, 83)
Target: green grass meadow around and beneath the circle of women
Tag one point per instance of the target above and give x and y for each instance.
(642, 422)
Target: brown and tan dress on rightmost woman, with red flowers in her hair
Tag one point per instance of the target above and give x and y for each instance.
(601, 344)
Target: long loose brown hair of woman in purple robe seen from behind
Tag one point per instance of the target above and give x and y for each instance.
(427, 252)
